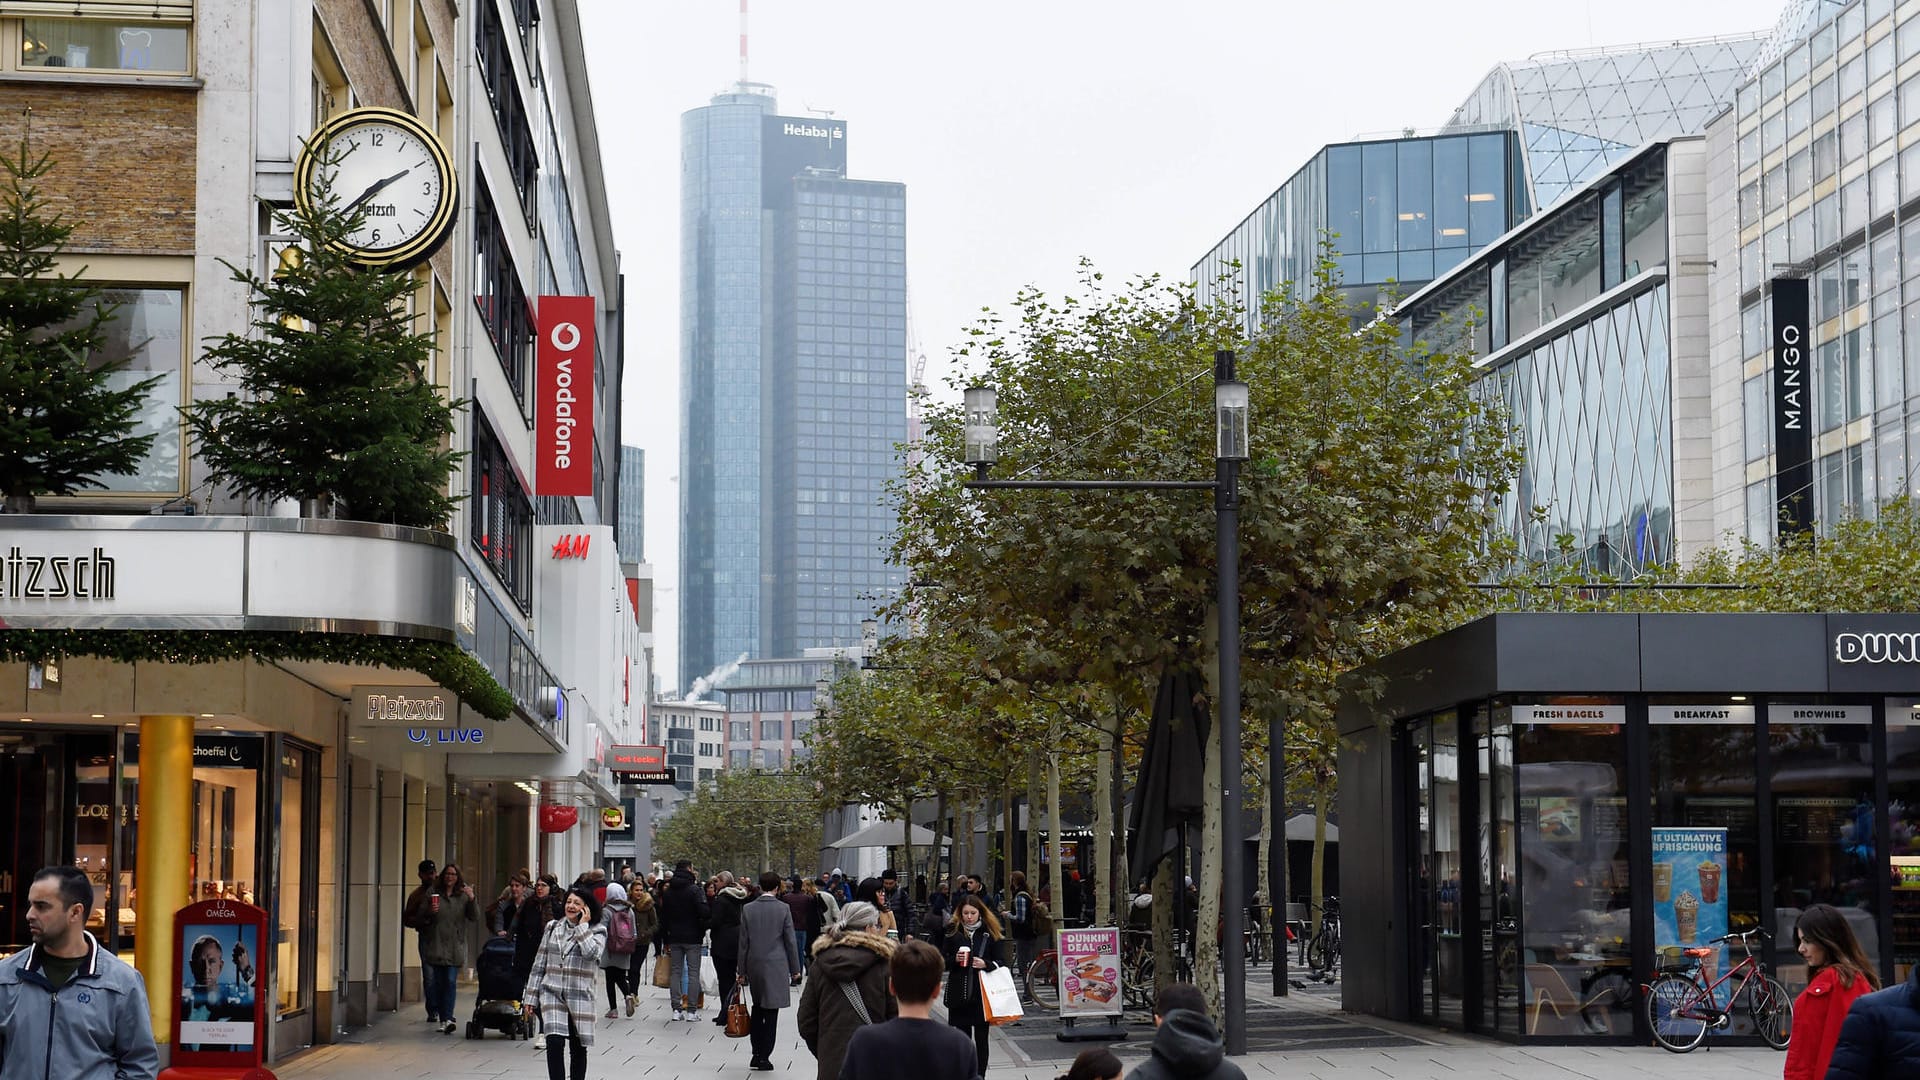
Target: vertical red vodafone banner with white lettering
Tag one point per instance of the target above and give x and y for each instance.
(564, 420)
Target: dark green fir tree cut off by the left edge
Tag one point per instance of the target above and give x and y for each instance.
(66, 418)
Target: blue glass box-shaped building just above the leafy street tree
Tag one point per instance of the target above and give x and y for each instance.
(1399, 212)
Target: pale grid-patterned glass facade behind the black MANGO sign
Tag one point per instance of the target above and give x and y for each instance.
(1819, 168)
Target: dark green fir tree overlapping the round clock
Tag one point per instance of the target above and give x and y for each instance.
(335, 397)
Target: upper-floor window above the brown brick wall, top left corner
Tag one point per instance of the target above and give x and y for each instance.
(93, 36)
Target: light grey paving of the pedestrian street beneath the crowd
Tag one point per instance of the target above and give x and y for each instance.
(652, 1044)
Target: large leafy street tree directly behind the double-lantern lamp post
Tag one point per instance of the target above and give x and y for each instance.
(1360, 510)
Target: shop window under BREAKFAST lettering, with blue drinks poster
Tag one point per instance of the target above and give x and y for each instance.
(1706, 831)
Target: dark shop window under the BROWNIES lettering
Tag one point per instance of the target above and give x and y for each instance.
(1823, 818)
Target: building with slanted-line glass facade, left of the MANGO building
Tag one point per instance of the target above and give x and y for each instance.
(1575, 322)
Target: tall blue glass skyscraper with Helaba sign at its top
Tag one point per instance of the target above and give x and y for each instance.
(794, 383)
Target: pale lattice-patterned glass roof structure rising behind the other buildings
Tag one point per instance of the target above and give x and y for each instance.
(1577, 114)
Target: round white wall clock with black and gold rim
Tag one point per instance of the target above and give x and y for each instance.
(389, 168)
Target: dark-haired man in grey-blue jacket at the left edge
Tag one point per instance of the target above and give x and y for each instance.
(68, 1008)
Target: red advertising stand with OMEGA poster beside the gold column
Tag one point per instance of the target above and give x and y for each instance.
(220, 1014)
